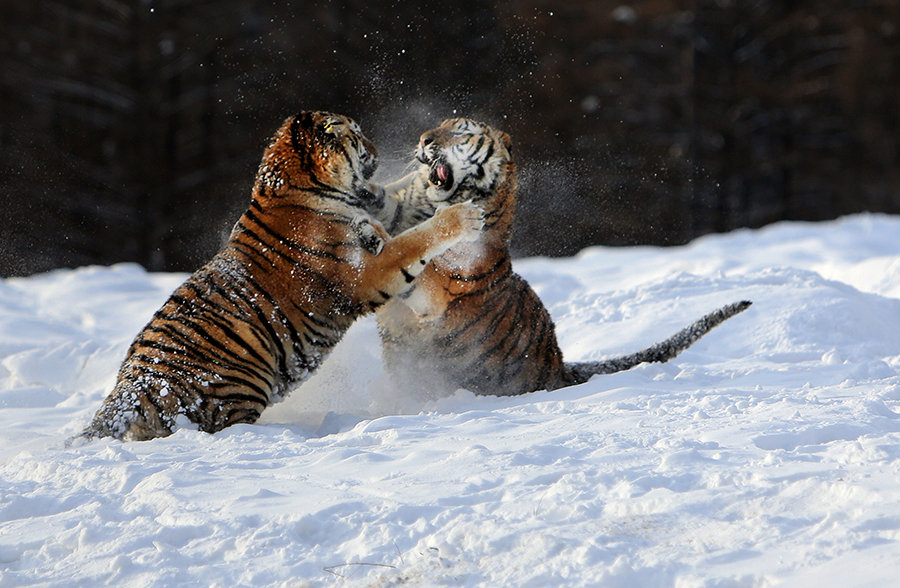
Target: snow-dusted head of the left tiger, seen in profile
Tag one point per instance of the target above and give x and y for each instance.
(318, 152)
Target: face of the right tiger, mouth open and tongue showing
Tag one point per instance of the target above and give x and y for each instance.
(463, 156)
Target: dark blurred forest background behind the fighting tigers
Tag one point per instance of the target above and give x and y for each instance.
(131, 129)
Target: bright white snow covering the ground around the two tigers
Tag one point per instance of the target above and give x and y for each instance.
(768, 453)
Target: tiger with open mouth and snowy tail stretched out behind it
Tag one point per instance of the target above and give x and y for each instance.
(470, 321)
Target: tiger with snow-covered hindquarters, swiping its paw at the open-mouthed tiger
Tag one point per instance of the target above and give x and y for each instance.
(301, 264)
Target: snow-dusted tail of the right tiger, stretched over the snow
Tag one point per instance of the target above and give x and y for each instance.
(580, 372)
